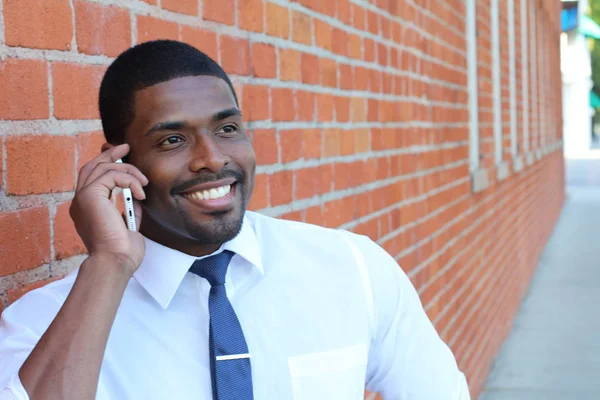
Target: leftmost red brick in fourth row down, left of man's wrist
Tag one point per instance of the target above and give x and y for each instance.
(24, 239)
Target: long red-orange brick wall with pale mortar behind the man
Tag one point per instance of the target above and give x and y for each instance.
(358, 111)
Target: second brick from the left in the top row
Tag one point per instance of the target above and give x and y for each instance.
(101, 29)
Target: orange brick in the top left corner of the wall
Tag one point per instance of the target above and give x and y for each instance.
(38, 24)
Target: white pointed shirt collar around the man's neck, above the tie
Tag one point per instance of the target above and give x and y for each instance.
(163, 269)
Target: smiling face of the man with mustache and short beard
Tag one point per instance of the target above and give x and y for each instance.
(188, 138)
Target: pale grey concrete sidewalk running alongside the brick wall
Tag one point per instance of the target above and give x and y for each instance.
(553, 351)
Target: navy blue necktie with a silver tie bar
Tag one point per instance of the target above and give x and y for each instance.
(229, 357)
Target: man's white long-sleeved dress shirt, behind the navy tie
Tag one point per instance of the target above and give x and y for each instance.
(325, 313)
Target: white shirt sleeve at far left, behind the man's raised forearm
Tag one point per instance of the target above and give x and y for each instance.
(21, 326)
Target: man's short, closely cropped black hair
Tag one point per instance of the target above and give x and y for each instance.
(144, 65)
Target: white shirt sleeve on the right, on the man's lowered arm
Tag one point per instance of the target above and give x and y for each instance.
(407, 360)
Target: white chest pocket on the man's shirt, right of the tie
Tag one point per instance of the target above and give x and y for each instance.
(330, 375)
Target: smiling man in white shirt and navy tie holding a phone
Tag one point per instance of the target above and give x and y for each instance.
(208, 301)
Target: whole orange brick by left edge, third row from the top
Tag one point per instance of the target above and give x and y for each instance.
(40, 164)
